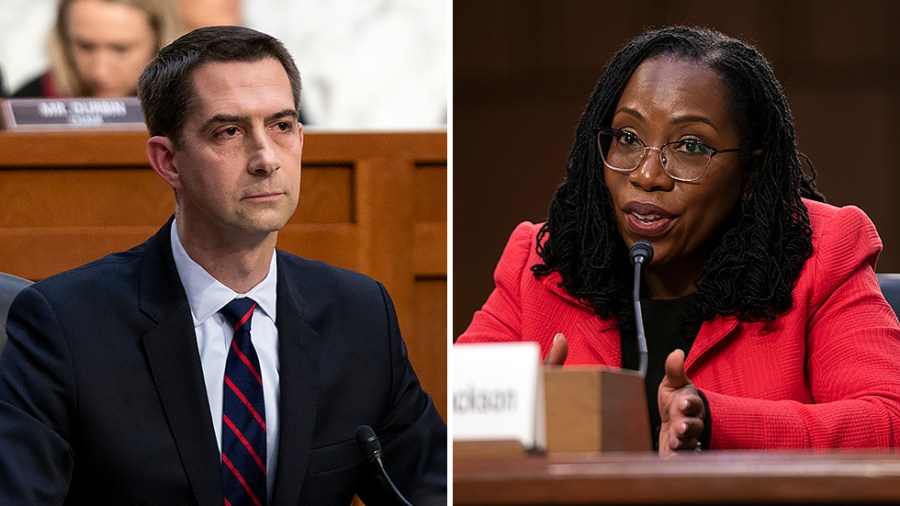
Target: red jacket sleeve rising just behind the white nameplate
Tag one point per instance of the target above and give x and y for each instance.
(500, 319)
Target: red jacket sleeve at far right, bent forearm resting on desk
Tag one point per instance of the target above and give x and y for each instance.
(851, 359)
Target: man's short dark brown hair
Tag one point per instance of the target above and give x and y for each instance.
(165, 88)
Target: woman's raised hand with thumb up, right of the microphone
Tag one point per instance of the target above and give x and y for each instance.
(680, 408)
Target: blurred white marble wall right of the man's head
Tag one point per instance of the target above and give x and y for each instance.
(369, 64)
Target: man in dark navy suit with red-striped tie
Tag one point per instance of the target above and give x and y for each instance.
(126, 381)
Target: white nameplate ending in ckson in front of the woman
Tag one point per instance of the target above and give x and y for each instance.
(498, 393)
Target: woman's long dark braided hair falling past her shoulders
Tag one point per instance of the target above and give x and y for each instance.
(751, 272)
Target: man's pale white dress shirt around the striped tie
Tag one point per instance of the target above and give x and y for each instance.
(207, 296)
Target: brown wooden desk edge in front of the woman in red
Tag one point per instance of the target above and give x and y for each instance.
(706, 478)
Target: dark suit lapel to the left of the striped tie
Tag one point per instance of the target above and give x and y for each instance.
(174, 360)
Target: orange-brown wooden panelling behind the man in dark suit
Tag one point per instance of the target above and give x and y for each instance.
(371, 202)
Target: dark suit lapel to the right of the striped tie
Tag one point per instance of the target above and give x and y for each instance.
(298, 355)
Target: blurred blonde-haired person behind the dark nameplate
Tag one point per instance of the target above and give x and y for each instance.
(98, 48)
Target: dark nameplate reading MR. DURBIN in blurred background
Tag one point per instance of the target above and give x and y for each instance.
(34, 114)
